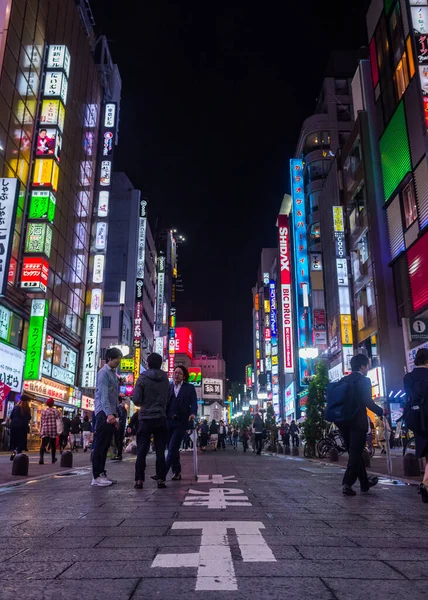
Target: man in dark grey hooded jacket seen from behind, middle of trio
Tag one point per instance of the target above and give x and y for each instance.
(151, 393)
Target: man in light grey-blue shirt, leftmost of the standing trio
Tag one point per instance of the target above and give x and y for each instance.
(106, 395)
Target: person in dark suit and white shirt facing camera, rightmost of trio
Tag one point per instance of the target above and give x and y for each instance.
(183, 405)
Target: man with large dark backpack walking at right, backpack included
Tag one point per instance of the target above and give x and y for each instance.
(347, 403)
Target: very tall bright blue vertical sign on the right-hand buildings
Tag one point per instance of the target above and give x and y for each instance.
(301, 259)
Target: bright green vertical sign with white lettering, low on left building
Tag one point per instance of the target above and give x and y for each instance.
(36, 339)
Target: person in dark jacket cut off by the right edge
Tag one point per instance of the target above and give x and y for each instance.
(416, 411)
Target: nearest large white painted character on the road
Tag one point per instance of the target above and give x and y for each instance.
(216, 571)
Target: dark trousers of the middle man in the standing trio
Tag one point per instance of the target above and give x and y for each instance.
(159, 429)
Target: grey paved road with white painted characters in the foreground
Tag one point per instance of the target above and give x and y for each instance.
(259, 527)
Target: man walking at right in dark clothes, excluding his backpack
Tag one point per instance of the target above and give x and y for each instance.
(354, 432)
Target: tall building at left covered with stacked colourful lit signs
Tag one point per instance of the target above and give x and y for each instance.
(56, 105)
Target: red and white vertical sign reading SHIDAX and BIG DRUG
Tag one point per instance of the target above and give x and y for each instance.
(285, 281)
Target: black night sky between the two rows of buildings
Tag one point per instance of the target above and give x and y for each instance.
(214, 95)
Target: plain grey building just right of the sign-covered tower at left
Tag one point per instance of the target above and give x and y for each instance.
(127, 233)
